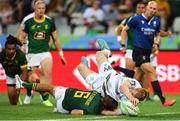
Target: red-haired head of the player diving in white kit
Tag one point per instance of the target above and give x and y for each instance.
(139, 93)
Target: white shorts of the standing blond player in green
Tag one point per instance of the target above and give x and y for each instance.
(36, 59)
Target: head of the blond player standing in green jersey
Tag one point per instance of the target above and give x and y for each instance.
(39, 8)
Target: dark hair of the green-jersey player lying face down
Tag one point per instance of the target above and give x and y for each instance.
(108, 103)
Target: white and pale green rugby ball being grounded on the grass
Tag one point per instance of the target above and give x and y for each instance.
(127, 108)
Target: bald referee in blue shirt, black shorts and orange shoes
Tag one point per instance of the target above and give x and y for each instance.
(146, 26)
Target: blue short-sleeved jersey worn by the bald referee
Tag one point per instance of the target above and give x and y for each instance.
(144, 30)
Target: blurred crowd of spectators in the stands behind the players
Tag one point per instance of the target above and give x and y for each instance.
(91, 16)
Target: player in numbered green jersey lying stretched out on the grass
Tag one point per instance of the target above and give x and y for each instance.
(75, 101)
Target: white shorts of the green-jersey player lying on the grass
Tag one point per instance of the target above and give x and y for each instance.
(59, 93)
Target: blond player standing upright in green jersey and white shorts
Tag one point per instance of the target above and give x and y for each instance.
(39, 28)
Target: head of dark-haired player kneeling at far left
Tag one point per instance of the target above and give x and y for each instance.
(10, 46)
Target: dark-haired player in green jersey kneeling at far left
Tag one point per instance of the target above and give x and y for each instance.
(14, 62)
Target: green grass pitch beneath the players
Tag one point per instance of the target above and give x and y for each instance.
(149, 110)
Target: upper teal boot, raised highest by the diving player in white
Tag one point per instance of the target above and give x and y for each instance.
(104, 46)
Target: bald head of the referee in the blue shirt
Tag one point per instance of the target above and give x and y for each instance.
(151, 9)
